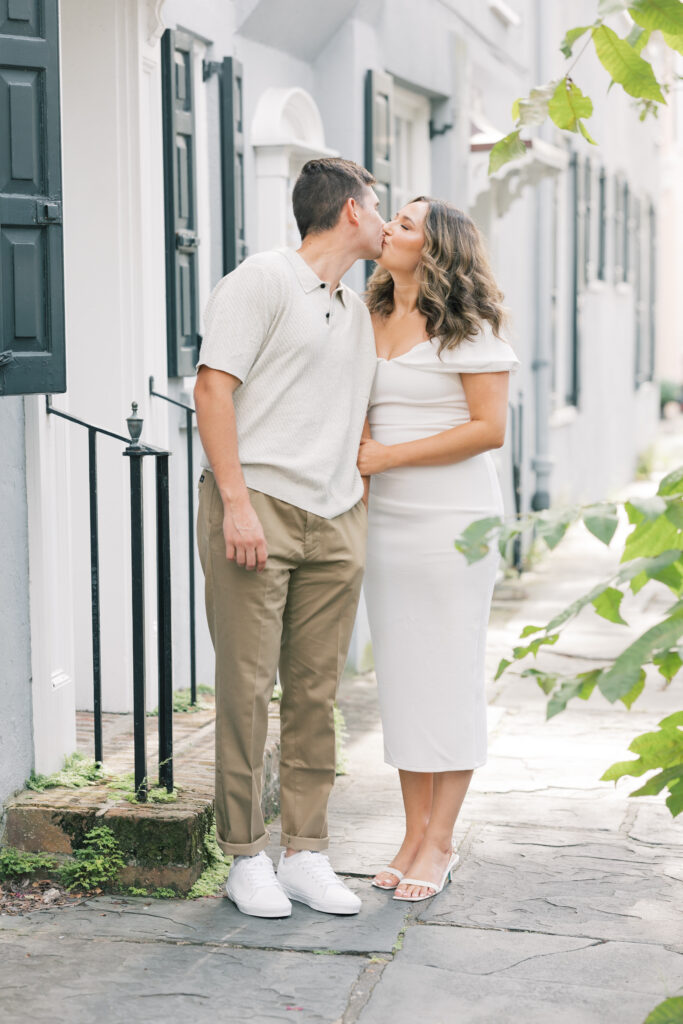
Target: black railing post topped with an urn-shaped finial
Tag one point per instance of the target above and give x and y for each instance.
(137, 453)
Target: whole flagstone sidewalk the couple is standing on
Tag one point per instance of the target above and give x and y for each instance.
(567, 905)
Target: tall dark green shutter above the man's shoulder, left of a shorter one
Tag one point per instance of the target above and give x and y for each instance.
(181, 203)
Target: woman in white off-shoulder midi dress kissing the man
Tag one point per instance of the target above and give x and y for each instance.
(439, 406)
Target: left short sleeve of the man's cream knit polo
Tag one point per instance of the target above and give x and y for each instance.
(239, 316)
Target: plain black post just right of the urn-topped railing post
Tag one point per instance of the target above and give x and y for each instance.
(164, 627)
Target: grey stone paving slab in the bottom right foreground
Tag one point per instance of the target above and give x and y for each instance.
(485, 976)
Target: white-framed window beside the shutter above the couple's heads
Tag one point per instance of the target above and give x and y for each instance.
(411, 173)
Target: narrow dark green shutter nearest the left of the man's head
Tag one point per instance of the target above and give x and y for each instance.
(233, 142)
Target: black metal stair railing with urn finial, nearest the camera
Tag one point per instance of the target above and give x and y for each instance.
(137, 452)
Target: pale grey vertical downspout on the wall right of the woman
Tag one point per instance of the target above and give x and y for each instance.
(542, 462)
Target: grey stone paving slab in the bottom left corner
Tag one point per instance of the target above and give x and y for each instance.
(45, 980)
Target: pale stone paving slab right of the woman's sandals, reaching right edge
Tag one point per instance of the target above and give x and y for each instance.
(566, 882)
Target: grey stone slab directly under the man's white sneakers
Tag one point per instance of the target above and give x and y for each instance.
(220, 922)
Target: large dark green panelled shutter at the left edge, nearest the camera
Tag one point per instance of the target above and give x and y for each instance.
(32, 309)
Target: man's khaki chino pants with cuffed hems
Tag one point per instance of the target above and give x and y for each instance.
(297, 616)
